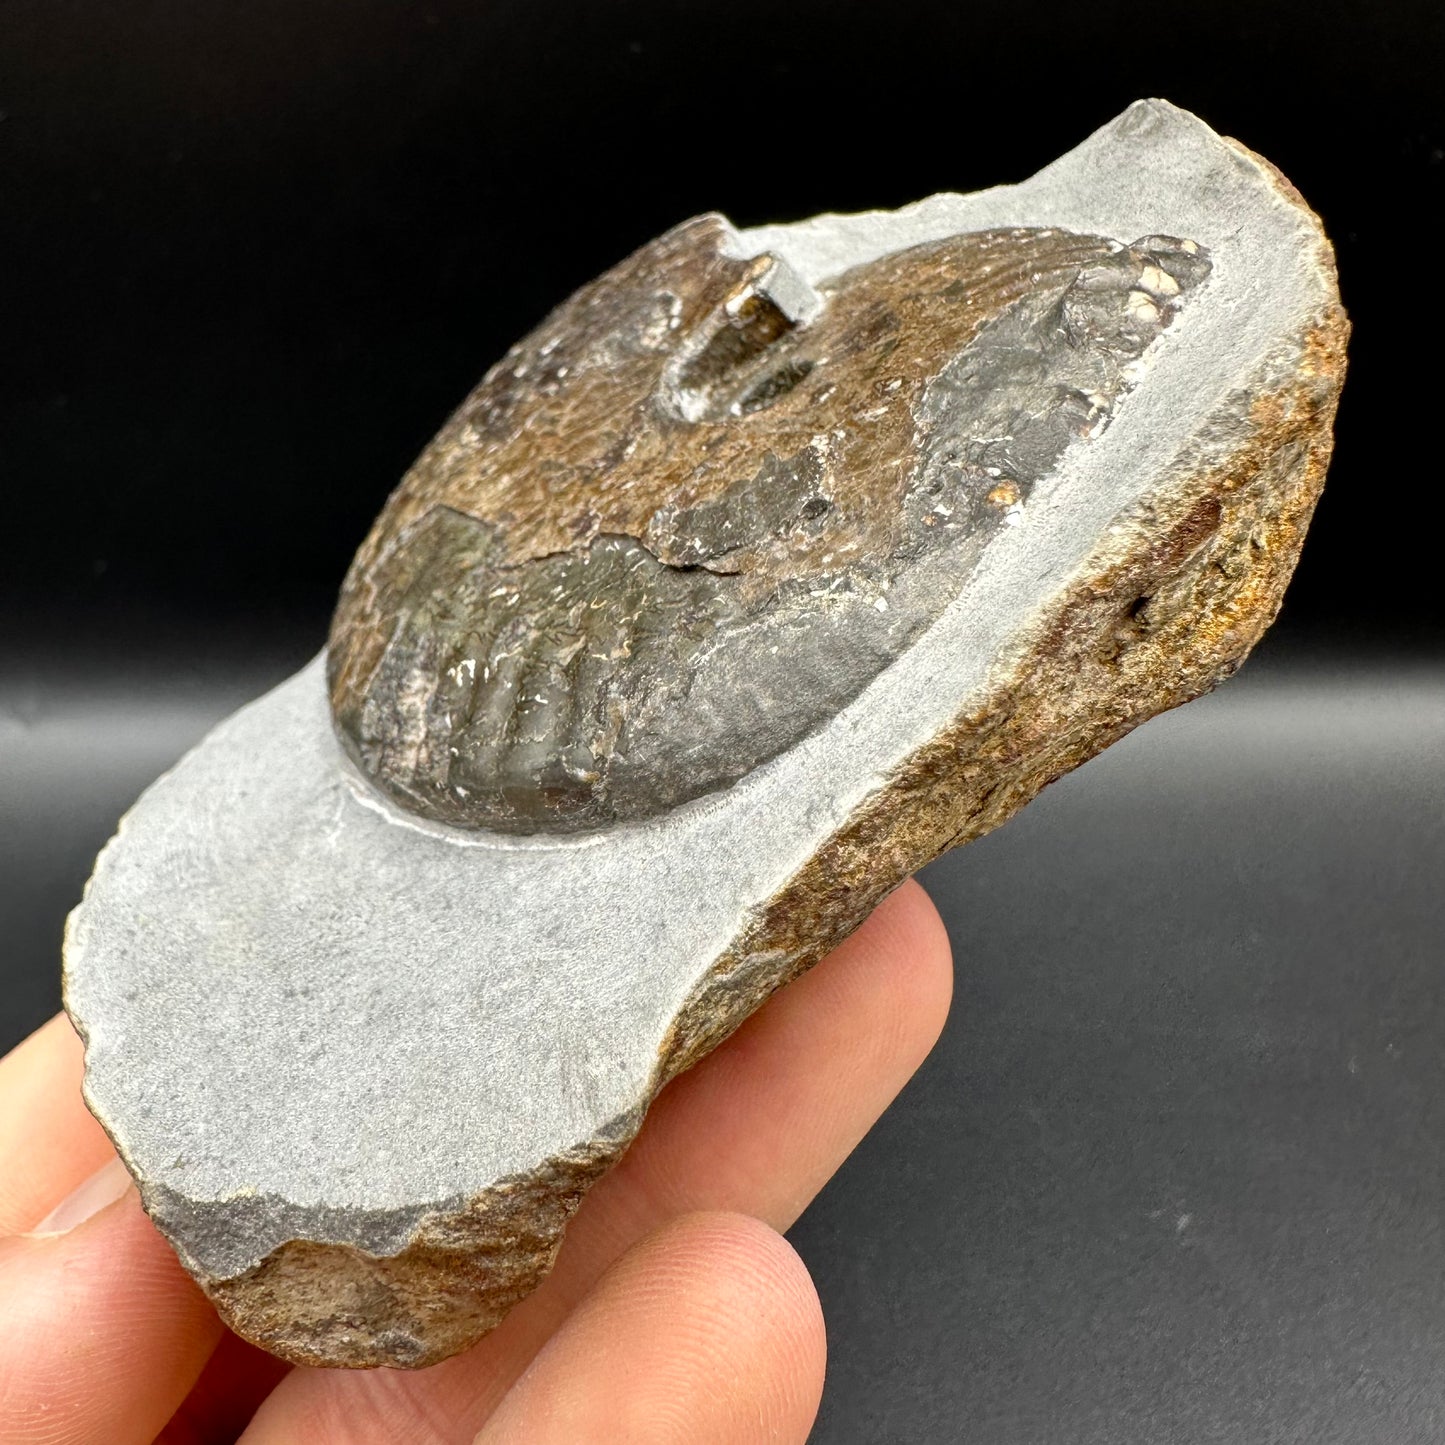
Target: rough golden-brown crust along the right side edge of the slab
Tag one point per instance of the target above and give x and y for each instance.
(1144, 629)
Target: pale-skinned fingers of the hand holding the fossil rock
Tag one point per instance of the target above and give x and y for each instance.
(677, 1313)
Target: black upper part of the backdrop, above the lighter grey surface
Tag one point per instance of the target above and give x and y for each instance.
(258, 252)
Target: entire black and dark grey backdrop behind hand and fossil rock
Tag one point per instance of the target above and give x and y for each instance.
(254, 255)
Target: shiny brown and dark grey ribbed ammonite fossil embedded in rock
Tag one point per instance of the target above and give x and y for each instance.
(697, 511)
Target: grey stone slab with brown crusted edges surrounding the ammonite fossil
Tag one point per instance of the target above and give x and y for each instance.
(363, 1066)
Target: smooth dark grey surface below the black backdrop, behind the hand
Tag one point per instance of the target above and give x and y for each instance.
(1174, 1174)
